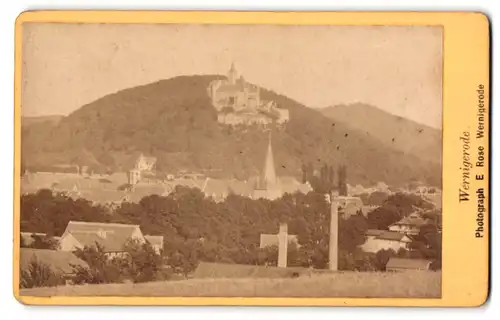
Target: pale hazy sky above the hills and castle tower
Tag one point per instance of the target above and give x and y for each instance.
(397, 69)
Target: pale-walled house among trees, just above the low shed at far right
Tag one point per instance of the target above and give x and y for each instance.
(377, 240)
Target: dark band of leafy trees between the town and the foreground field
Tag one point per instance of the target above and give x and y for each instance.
(196, 228)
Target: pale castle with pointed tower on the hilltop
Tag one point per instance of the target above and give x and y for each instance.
(239, 102)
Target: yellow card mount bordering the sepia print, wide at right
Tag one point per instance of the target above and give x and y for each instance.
(465, 275)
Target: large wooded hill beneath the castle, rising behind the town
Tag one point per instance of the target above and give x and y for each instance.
(174, 121)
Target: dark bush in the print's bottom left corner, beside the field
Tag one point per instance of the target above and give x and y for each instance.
(39, 274)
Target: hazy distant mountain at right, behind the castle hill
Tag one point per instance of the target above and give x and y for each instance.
(395, 132)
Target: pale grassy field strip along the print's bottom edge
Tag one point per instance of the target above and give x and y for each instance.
(411, 284)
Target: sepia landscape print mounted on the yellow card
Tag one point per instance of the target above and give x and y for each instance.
(213, 160)
